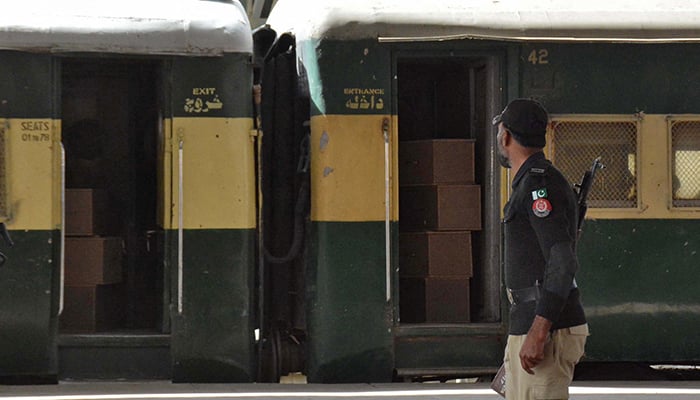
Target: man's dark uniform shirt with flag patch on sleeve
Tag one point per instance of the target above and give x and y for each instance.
(540, 227)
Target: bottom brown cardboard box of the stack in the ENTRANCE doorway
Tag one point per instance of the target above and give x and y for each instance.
(441, 299)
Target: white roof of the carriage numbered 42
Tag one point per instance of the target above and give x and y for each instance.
(646, 21)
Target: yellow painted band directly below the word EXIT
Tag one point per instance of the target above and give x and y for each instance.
(218, 174)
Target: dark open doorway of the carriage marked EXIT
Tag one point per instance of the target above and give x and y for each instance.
(142, 321)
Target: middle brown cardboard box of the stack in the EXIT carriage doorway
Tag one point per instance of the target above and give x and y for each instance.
(93, 260)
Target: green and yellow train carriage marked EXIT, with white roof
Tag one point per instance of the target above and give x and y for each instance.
(128, 187)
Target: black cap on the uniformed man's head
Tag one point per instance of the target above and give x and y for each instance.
(527, 120)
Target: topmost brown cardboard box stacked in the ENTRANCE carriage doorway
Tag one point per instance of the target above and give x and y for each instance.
(436, 161)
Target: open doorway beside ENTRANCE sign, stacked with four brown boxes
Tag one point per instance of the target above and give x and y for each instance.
(450, 309)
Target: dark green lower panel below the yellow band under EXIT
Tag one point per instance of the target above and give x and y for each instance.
(212, 340)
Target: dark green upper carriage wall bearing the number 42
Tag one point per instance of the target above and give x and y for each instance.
(612, 78)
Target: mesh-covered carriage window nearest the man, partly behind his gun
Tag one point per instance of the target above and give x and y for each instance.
(576, 143)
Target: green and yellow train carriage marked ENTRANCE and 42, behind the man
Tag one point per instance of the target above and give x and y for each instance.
(620, 81)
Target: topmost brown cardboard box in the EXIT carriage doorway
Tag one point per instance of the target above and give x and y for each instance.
(88, 213)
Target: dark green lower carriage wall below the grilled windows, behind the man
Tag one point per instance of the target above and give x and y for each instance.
(639, 281)
